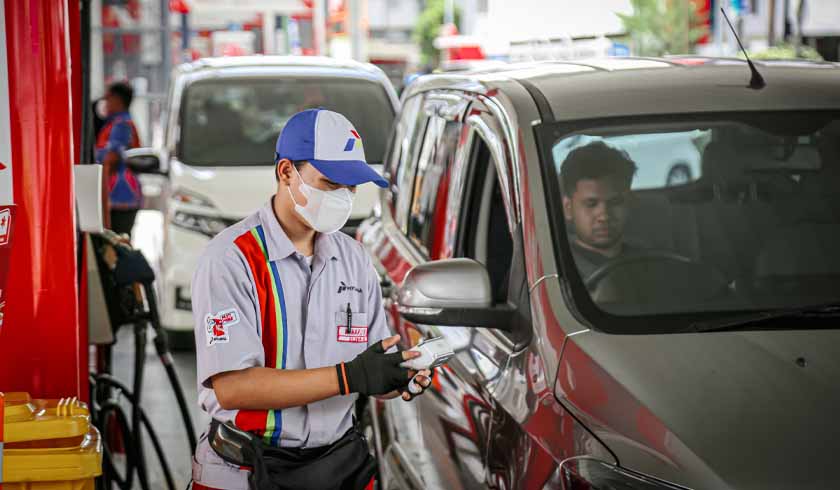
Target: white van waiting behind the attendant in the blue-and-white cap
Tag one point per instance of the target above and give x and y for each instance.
(222, 122)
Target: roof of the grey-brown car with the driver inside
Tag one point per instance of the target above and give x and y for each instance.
(614, 87)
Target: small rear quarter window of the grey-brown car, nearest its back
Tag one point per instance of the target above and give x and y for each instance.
(406, 139)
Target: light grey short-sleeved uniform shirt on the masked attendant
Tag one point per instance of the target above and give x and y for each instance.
(228, 326)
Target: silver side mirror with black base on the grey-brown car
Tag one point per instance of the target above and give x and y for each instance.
(452, 292)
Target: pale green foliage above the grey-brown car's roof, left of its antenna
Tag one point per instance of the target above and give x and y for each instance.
(660, 27)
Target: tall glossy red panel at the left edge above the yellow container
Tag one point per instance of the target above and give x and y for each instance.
(39, 344)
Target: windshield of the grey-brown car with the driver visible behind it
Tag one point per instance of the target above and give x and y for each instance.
(697, 214)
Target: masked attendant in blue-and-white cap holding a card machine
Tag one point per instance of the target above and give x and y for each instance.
(289, 323)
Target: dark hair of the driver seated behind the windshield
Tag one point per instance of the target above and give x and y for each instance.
(595, 161)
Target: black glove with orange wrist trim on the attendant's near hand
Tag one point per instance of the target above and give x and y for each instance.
(373, 372)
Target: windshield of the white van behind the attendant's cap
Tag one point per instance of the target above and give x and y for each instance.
(231, 121)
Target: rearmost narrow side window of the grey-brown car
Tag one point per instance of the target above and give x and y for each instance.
(413, 131)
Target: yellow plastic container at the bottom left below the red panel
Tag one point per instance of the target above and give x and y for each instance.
(48, 444)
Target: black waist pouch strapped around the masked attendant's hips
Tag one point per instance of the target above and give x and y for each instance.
(344, 465)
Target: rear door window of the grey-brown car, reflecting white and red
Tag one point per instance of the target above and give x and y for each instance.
(428, 204)
